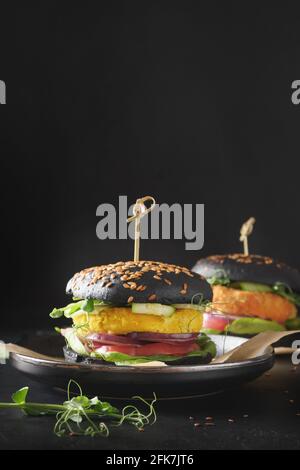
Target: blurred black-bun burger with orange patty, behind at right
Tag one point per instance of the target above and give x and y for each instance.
(254, 293)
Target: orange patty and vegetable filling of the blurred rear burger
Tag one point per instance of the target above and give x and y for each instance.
(251, 308)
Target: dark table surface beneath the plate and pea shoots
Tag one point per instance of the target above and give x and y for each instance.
(264, 414)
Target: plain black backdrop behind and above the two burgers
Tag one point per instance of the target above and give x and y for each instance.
(187, 103)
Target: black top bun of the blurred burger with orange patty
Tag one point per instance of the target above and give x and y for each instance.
(251, 268)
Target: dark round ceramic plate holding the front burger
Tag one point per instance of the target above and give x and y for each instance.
(107, 380)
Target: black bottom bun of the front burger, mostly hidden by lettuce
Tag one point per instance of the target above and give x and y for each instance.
(72, 356)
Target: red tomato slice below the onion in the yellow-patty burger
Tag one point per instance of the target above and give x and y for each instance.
(151, 349)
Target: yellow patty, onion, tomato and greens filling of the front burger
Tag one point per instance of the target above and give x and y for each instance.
(124, 336)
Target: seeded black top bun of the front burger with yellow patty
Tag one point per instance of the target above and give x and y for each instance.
(143, 282)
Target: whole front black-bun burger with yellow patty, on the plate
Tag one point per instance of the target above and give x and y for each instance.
(135, 312)
